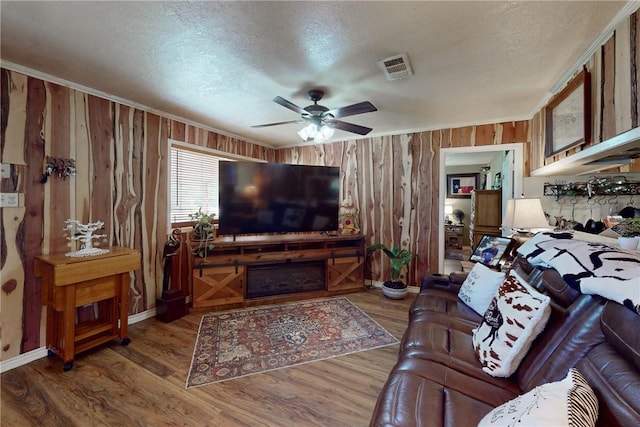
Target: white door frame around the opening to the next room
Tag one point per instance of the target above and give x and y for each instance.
(518, 177)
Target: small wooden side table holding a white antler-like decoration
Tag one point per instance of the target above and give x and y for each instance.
(69, 283)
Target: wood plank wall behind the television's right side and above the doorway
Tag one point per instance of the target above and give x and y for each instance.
(394, 183)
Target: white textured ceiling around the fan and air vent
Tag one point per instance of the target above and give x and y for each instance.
(220, 64)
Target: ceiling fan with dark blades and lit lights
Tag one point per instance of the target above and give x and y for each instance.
(321, 120)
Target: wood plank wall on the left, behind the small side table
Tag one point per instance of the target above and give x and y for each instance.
(121, 159)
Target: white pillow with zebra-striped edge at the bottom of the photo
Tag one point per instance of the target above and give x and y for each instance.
(570, 402)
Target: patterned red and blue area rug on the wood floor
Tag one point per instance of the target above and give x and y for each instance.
(237, 343)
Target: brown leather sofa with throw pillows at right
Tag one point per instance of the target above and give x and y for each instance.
(438, 381)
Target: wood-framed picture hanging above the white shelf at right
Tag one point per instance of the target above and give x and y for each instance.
(568, 116)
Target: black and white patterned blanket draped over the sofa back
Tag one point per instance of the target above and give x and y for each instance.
(590, 267)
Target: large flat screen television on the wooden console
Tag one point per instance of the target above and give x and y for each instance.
(258, 198)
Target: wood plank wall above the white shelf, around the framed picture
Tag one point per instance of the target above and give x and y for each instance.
(615, 74)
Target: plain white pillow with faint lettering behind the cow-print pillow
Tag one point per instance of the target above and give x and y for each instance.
(479, 287)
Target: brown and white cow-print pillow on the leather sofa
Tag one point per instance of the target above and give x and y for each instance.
(515, 317)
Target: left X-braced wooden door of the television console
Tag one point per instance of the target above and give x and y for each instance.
(218, 286)
